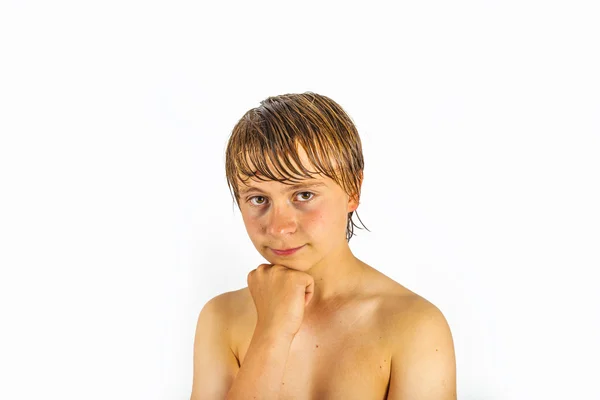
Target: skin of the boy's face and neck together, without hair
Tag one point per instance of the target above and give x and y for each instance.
(277, 217)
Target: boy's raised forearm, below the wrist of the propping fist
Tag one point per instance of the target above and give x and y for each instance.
(261, 373)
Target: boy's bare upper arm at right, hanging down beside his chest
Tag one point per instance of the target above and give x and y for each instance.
(423, 359)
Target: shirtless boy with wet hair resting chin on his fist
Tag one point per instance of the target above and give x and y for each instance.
(316, 322)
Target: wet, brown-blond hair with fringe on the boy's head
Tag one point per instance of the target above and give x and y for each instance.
(273, 130)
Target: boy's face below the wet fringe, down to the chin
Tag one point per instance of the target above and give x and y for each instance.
(280, 217)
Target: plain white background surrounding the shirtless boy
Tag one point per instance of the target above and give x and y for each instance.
(480, 123)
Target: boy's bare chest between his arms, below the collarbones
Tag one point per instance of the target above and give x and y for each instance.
(341, 356)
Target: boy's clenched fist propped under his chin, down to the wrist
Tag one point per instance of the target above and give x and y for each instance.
(280, 295)
